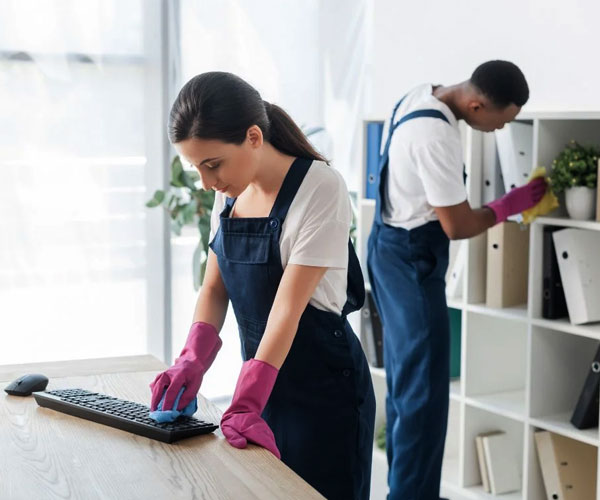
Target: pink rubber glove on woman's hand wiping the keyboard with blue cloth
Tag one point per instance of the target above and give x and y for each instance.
(201, 348)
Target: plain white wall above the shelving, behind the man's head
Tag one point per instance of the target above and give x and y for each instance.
(555, 43)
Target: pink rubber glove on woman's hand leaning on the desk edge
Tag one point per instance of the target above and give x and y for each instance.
(242, 421)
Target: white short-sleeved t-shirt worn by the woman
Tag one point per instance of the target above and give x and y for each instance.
(315, 232)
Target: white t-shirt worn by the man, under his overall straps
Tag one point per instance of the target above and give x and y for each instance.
(425, 167)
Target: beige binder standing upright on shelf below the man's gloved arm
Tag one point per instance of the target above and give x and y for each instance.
(507, 265)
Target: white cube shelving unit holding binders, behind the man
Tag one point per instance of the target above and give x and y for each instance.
(519, 372)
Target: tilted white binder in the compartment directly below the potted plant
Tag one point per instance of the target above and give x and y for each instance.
(577, 251)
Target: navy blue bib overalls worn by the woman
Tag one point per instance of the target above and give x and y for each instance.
(322, 408)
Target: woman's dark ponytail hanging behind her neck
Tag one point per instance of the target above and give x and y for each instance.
(286, 136)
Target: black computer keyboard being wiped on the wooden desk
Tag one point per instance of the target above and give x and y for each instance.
(124, 415)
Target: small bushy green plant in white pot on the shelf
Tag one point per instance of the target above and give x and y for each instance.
(574, 171)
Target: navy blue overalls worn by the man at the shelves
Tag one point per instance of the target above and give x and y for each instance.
(407, 271)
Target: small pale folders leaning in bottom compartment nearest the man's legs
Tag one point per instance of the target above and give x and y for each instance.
(498, 463)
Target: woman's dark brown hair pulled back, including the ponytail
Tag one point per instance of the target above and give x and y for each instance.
(222, 106)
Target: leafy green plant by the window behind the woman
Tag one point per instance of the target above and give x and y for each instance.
(188, 204)
